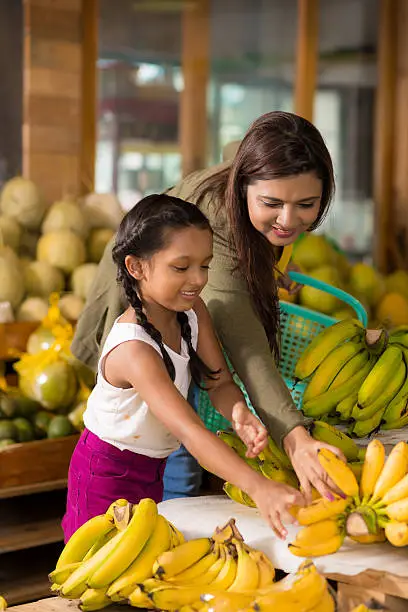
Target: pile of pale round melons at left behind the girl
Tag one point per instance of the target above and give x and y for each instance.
(51, 249)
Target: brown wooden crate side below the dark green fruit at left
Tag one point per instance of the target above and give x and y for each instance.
(32, 465)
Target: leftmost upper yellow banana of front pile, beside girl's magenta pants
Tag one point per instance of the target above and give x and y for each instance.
(83, 539)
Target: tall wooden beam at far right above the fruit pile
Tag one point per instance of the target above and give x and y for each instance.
(384, 129)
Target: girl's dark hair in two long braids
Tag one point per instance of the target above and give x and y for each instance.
(144, 231)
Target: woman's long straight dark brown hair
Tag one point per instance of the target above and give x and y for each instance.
(276, 145)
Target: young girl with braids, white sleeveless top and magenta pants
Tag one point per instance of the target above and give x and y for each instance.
(137, 414)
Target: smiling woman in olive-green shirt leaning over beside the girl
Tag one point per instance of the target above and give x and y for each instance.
(279, 185)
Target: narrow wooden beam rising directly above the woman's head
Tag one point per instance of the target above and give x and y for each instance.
(307, 49)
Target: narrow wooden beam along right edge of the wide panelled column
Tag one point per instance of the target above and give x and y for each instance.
(90, 26)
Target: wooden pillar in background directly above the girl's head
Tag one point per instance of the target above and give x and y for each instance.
(195, 66)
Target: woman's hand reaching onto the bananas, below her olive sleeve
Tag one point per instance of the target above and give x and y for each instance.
(302, 450)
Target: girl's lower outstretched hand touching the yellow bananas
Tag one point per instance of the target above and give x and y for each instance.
(274, 501)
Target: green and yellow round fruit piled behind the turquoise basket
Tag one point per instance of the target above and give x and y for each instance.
(384, 297)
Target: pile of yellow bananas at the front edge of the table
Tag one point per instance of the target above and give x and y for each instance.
(133, 554)
